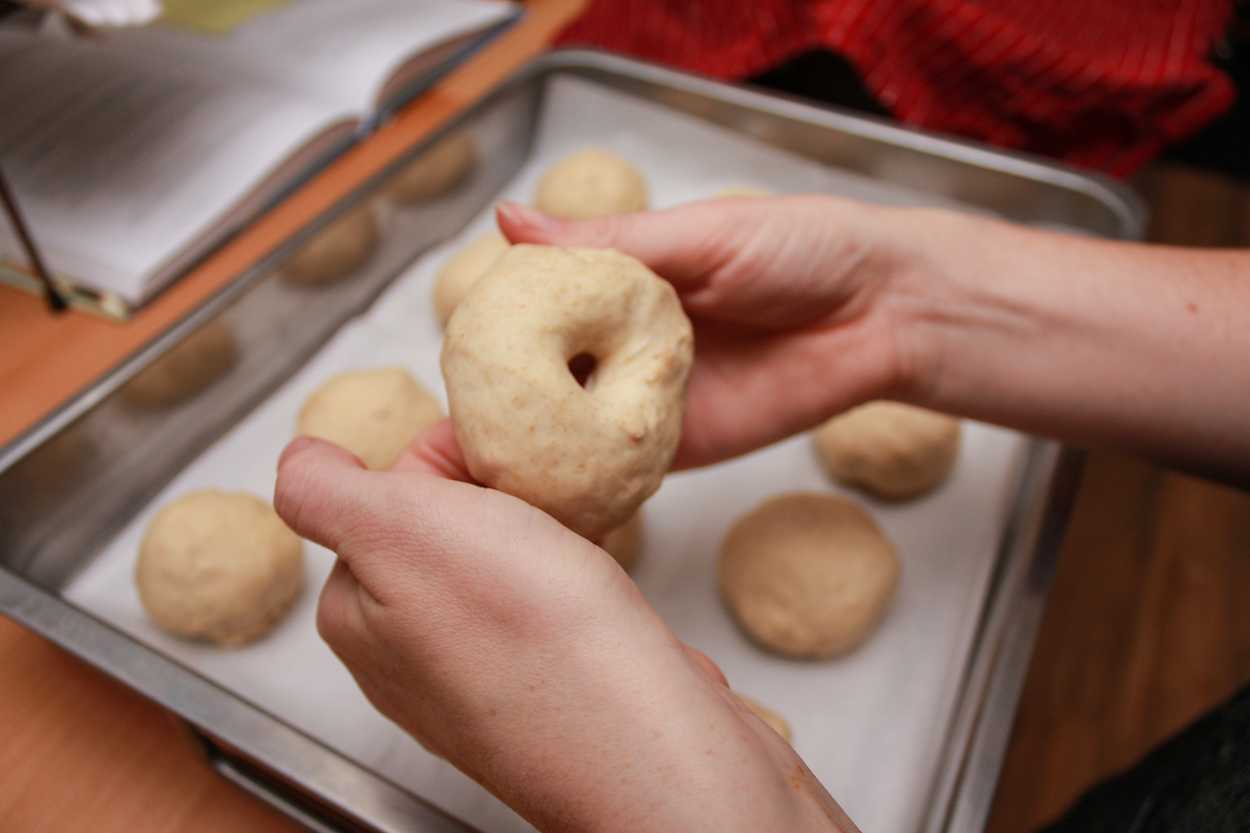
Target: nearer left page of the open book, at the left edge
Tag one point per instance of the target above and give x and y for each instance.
(119, 158)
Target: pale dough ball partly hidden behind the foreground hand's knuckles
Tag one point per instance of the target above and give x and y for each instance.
(374, 415)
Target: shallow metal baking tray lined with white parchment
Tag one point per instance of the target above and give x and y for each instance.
(906, 732)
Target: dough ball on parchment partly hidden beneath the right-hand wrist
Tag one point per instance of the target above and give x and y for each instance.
(889, 450)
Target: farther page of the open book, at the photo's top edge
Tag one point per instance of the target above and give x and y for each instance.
(341, 53)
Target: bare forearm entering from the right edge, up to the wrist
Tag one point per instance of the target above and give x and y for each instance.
(1097, 343)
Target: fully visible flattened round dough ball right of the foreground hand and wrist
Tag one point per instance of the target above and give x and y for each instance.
(808, 575)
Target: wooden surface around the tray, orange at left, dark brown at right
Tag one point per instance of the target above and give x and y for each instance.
(1143, 634)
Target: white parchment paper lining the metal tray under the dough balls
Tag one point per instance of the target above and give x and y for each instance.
(871, 726)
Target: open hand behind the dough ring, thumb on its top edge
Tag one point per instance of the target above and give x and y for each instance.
(793, 321)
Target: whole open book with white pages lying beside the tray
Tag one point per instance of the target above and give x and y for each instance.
(137, 152)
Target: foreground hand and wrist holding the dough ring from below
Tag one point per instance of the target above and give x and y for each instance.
(523, 655)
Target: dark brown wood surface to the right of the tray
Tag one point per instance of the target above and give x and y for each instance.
(1147, 627)
